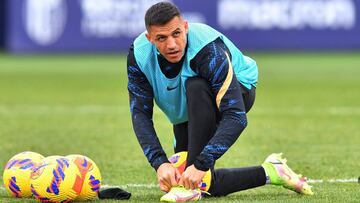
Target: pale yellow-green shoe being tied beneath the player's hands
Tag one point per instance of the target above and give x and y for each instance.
(181, 194)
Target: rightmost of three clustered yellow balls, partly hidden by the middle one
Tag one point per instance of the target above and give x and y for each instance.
(90, 177)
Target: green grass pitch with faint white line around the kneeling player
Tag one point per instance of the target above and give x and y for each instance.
(307, 106)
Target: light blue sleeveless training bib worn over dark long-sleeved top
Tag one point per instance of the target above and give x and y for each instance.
(169, 94)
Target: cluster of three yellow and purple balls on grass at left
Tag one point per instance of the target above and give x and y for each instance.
(52, 179)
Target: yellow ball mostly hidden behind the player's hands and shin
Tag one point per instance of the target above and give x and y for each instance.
(178, 160)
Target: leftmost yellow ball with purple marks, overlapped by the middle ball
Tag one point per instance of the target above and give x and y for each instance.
(17, 172)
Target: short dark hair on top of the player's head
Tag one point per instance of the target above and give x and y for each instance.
(160, 14)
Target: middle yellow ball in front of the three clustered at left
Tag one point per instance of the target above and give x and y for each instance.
(55, 180)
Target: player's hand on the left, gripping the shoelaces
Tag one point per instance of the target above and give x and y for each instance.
(168, 176)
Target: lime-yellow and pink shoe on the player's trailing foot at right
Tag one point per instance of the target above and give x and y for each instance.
(280, 174)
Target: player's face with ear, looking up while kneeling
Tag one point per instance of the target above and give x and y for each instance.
(170, 39)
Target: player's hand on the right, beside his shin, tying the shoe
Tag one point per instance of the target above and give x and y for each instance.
(191, 178)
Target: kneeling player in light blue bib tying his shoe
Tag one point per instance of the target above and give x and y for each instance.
(205, 86)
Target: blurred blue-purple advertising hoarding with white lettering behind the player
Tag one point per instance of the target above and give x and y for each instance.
(111, 25)
